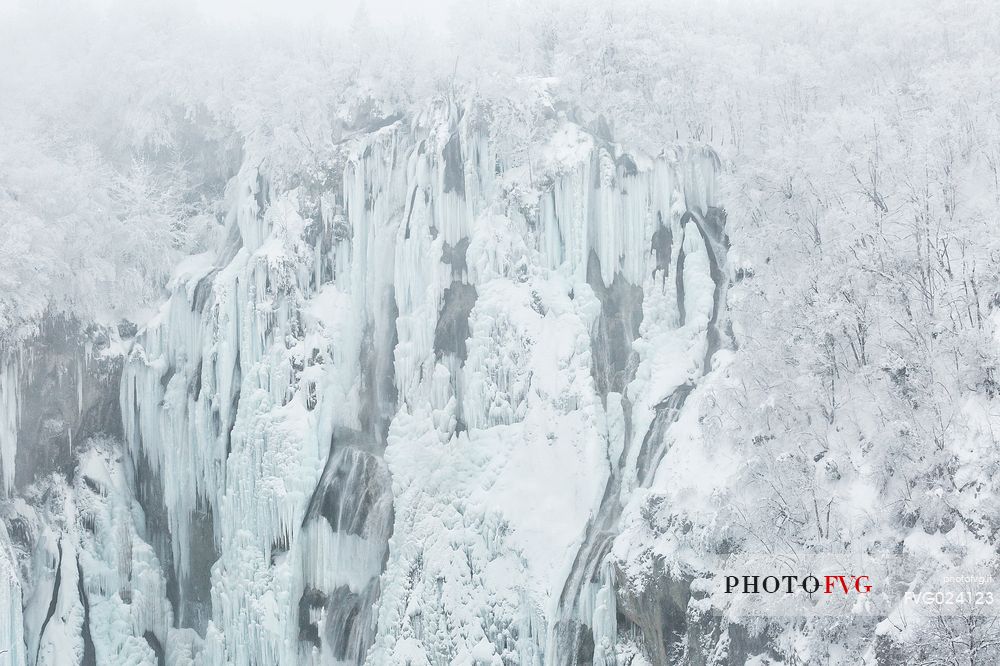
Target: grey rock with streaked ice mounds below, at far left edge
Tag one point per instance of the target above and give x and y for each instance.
(78, 580)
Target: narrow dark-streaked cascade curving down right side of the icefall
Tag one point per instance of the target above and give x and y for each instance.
(578, 635)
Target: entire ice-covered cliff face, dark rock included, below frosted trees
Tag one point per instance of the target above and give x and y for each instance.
(397, 418)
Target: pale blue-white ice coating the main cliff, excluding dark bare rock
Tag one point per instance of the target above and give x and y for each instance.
(495, 510)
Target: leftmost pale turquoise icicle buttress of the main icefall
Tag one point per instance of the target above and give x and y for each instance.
(211, 403)
